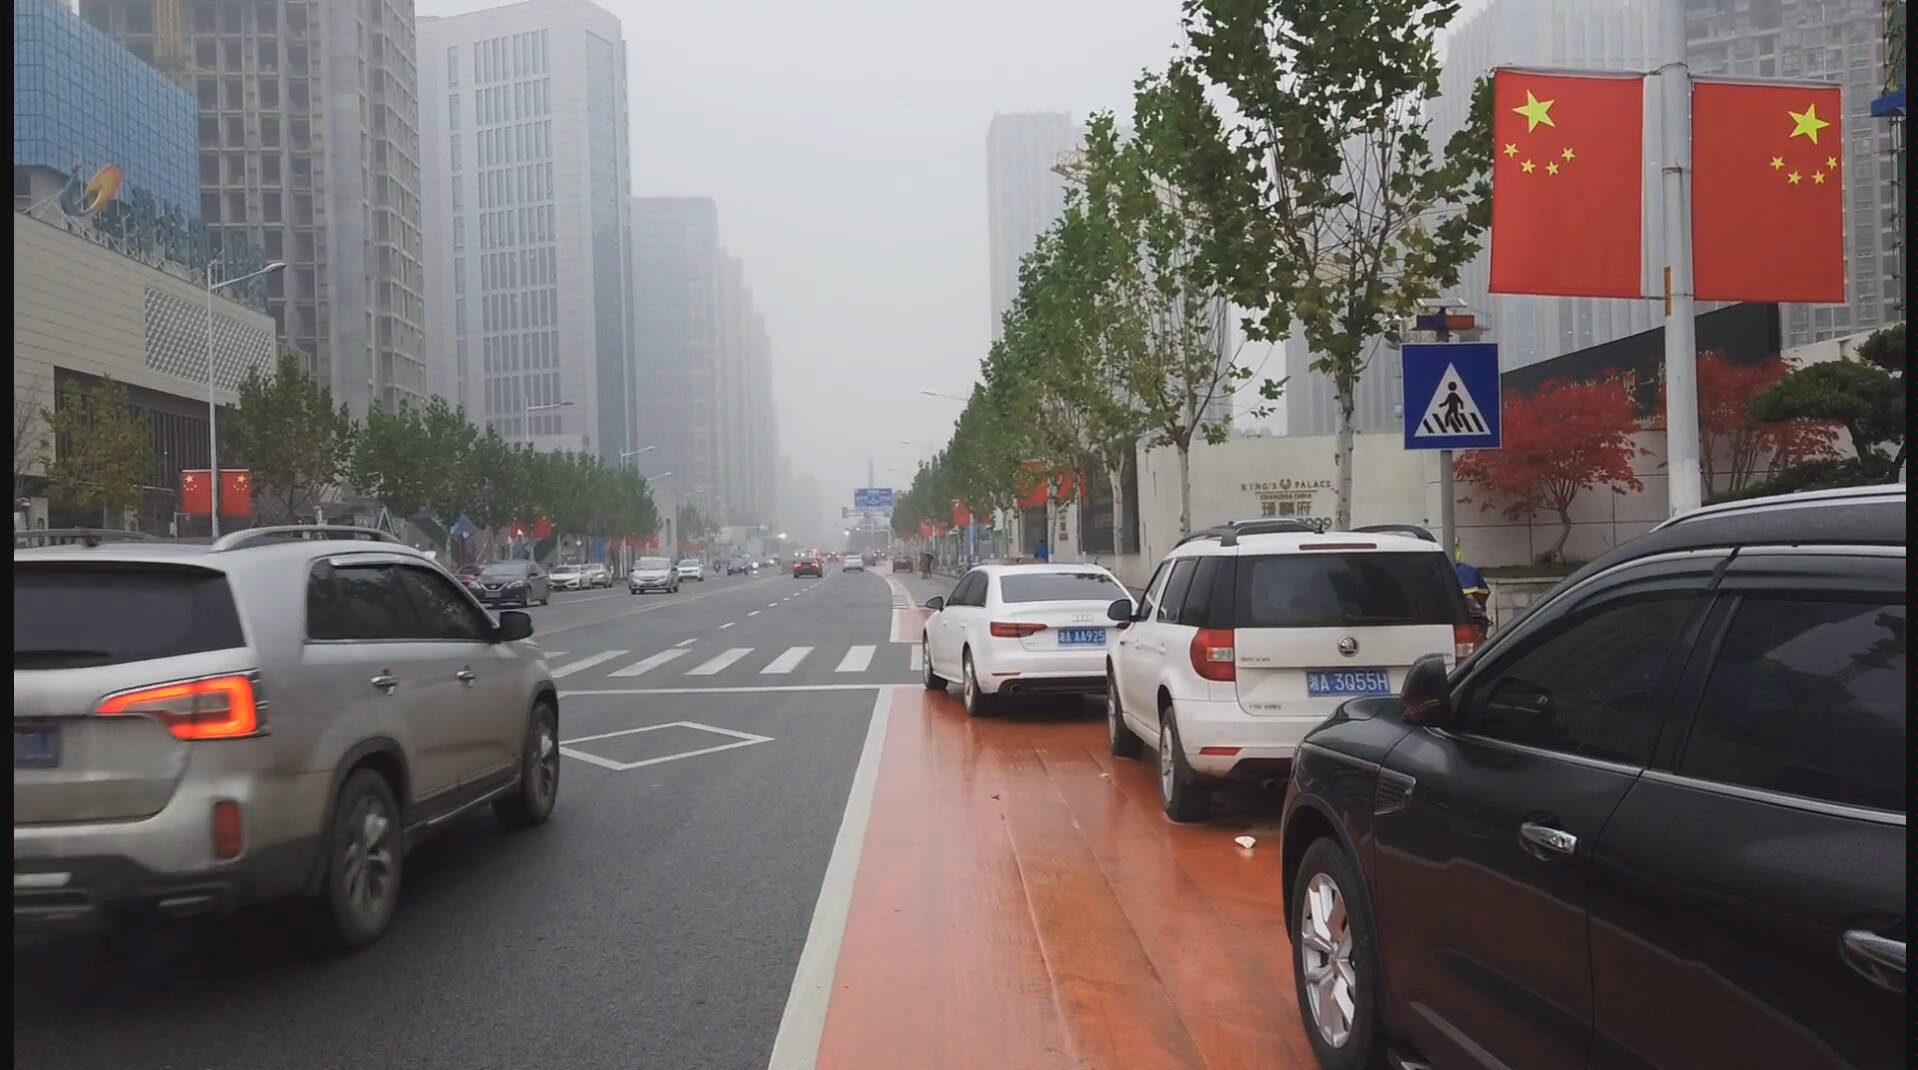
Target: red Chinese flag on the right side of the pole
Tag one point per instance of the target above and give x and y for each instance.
(1767, 195)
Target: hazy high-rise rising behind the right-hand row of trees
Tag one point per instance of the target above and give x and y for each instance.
(1025, 195)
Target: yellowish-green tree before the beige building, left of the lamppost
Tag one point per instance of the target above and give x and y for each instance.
(103, 452)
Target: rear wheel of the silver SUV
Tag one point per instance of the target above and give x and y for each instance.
(365, 850)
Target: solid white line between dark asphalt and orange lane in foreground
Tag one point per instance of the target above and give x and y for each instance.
(805, 1021)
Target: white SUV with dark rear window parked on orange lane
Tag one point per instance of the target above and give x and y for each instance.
(1248, 640)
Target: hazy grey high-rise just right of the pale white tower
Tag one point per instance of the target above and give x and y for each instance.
(703, 363)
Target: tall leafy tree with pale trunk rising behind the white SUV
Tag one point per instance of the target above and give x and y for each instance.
(1298, 129)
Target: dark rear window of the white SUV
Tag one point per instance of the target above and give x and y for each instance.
(1345, 590)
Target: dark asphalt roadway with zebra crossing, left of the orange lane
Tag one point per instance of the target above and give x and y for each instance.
(653, 923)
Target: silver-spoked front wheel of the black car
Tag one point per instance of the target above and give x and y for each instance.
(1336, 960)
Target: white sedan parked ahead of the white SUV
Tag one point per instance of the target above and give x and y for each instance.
(1021, 630)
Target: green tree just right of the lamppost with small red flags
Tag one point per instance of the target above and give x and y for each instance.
(289, 434)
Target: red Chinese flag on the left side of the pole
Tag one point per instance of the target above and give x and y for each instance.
(1568, 185)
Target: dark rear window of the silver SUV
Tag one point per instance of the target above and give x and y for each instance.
(70, 616)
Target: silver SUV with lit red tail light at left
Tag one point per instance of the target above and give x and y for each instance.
(279, 714)
